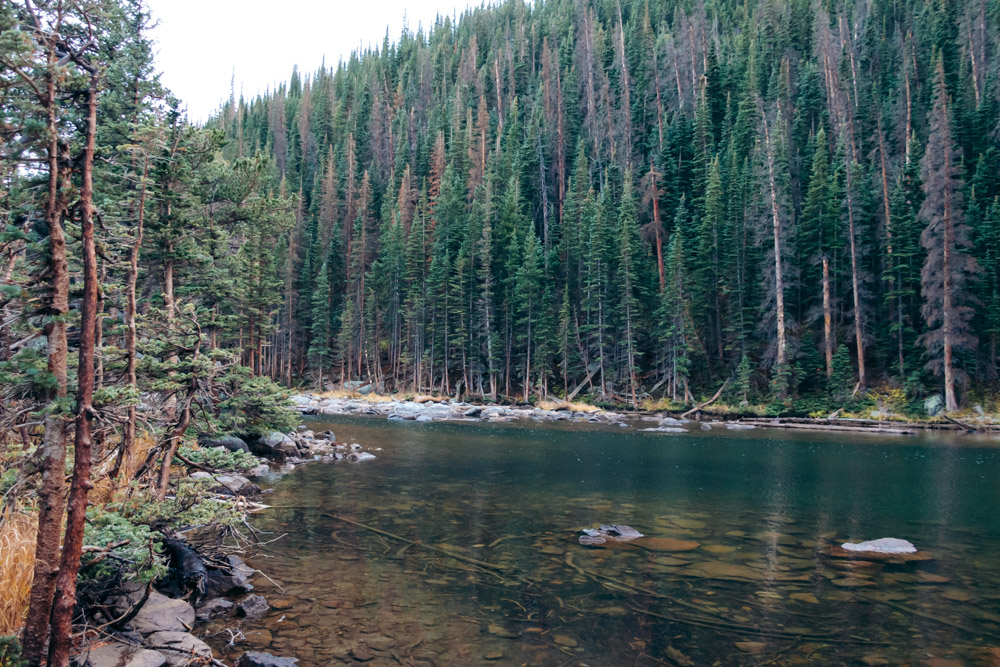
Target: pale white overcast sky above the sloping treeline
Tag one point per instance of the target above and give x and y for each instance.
(202, 43)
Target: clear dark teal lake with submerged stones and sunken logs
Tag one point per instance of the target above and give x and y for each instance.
(734, 571)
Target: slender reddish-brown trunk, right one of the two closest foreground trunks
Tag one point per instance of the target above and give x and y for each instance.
(65, 595)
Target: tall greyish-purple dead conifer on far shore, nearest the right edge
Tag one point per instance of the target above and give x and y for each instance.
(948, 267)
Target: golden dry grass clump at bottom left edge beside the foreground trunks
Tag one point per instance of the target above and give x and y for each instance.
(17, 564)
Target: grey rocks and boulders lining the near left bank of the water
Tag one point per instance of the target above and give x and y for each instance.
(158, 626)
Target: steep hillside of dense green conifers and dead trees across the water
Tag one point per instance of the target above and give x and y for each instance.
(649, 196)
